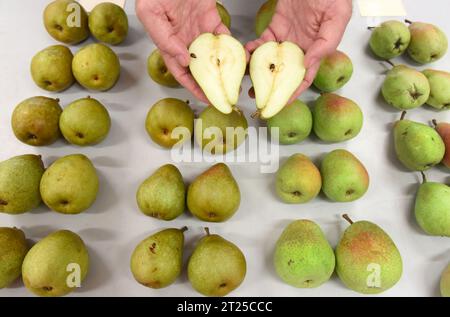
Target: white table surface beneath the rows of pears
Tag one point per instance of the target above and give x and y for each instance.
(114, 225)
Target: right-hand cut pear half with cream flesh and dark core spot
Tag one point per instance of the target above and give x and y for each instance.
(276, 70)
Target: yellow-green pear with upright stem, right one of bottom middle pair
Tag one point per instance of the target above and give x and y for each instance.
(217, 266)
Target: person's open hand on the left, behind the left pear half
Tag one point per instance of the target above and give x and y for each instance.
(173, 25)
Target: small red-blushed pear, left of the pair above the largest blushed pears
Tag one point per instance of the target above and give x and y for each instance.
(298, 180)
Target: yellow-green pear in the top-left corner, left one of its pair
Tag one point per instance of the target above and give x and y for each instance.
(66, 21)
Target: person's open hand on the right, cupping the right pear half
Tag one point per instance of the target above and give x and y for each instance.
(317, 26)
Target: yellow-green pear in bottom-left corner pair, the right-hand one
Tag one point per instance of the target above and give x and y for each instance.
(56, 265)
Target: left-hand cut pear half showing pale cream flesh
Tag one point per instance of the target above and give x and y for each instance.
(218, 65)
